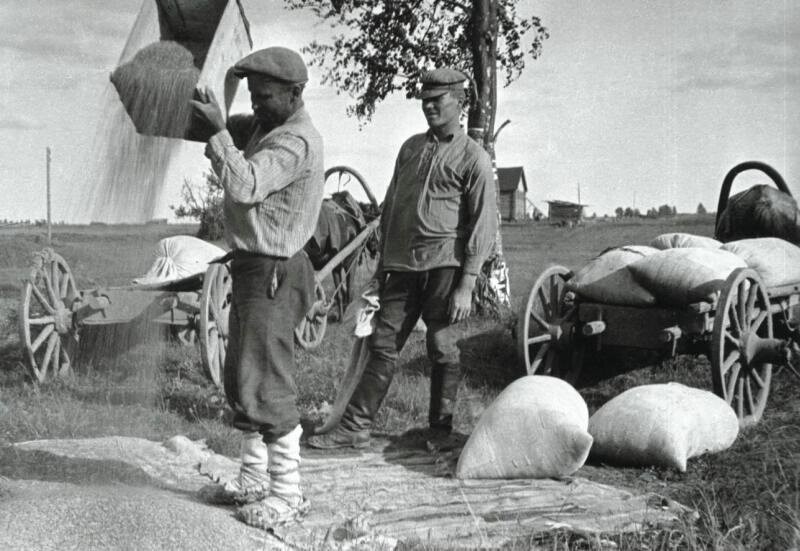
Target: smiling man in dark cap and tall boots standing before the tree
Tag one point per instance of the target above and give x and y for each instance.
(437, 228)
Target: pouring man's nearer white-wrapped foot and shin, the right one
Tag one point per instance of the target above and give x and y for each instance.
(285, 503)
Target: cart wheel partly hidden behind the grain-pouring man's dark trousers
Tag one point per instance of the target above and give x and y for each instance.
(215, 305)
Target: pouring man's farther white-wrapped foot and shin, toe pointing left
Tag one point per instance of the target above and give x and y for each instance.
(251, 484)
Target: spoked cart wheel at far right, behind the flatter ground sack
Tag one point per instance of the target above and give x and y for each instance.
(742, 318)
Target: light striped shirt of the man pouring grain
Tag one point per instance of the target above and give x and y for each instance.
(273, 183)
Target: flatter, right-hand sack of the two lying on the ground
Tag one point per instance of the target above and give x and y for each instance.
(662, 425)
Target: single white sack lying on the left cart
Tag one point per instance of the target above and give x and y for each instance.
(178, 257)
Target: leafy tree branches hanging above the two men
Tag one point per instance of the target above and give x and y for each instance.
(385, 45)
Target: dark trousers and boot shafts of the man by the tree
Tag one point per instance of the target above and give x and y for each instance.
(405, 296)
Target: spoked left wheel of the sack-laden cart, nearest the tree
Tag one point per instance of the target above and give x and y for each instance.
(543, 345)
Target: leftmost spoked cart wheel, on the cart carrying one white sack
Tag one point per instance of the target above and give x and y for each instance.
(46, 329)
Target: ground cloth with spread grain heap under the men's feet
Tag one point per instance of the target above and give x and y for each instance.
(129, 493)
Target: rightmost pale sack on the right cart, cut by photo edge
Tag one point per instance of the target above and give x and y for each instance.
(777, 261)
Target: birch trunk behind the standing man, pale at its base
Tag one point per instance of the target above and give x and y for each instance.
(484, 29)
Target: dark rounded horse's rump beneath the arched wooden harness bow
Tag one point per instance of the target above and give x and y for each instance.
(761, 211)
